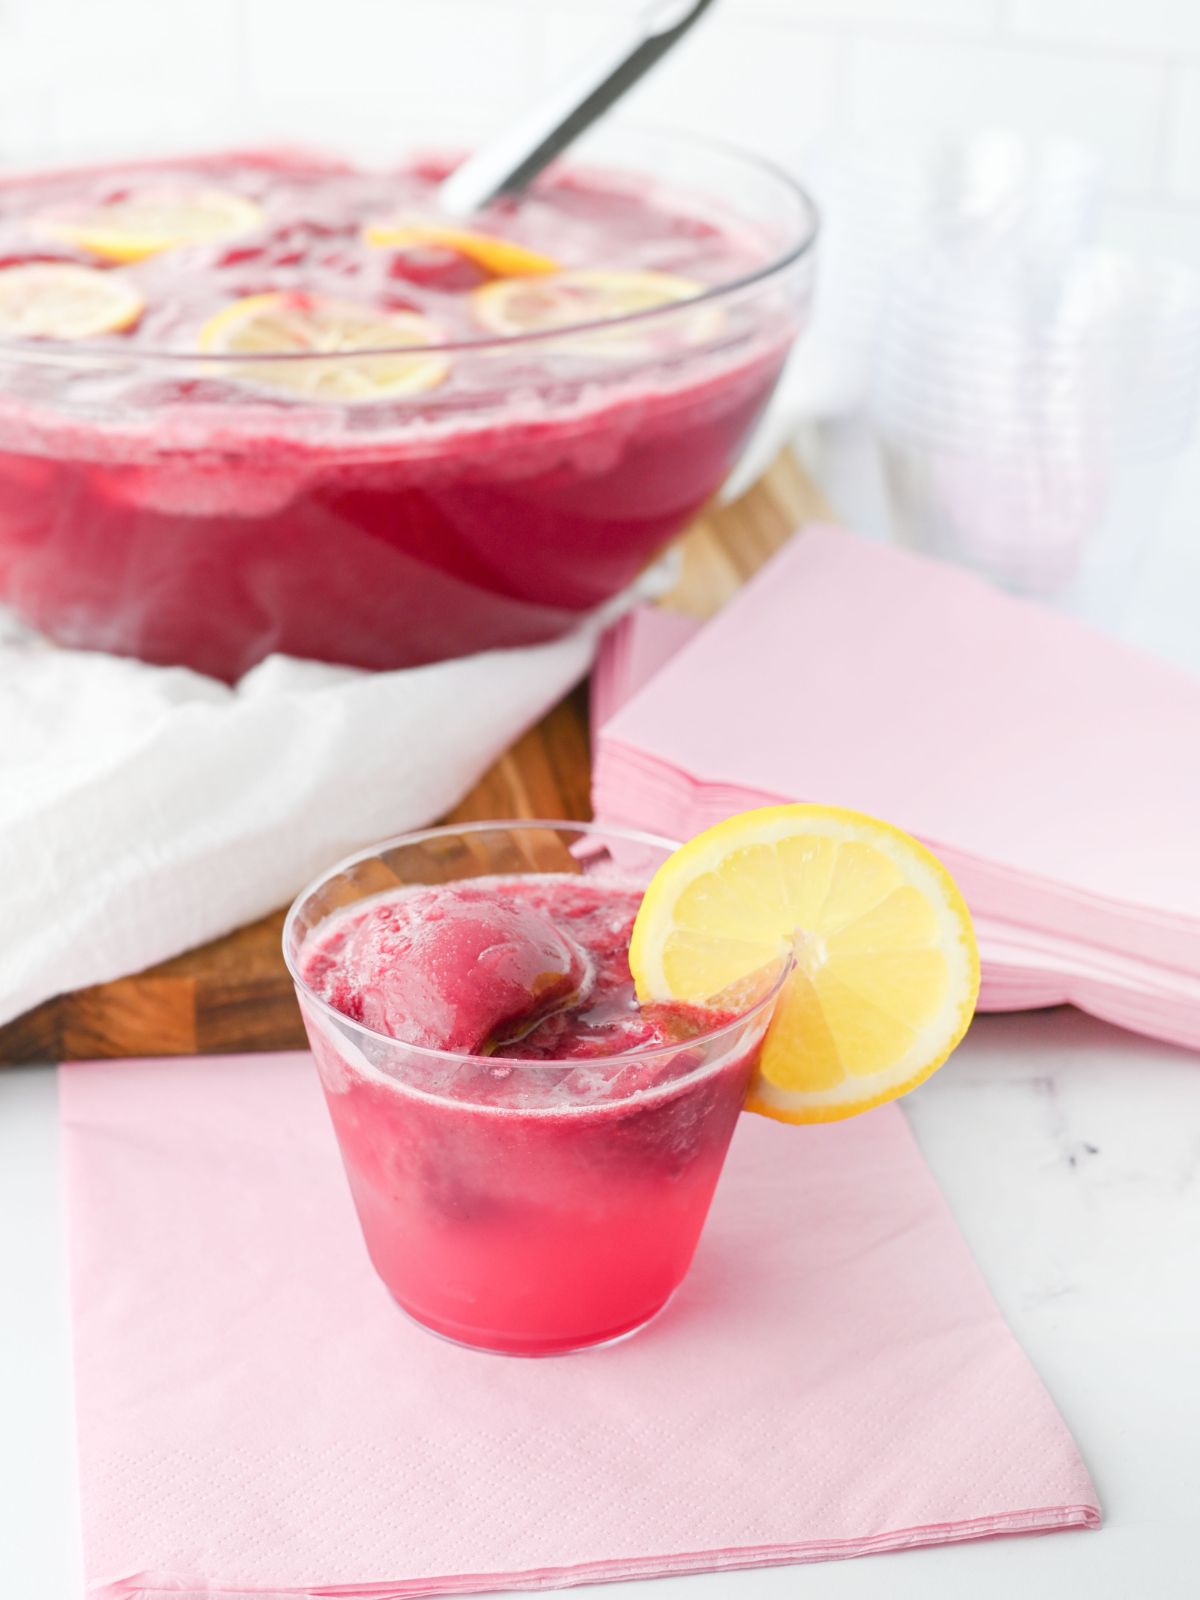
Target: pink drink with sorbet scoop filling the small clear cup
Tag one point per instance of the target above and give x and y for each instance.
(532, 1153)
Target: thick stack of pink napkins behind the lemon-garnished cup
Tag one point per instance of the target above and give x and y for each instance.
(1054, 770)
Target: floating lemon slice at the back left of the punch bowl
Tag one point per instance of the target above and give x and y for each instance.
(150, 223)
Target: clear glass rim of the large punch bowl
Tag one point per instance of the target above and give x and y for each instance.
(802, 241)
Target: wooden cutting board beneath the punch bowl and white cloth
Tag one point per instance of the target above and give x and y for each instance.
(234, 994)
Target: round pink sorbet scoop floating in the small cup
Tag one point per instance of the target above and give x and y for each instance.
(457, 972)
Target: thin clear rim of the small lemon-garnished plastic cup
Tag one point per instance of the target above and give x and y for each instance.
(457, 1057)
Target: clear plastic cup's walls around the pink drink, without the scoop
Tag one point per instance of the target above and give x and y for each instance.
(524, 1207)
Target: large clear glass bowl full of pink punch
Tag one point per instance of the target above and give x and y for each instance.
(164, 502)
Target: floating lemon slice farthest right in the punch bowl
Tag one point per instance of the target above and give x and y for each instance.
(513, 306)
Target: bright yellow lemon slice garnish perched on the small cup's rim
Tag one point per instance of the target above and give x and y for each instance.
(886, 974)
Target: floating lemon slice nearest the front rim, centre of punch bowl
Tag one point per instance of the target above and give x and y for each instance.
(319, 327)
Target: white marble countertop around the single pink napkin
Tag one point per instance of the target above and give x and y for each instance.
(1071, 1158)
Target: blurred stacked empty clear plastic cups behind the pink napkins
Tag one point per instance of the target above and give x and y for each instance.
(1025, 385)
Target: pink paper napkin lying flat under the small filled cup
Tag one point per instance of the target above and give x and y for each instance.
(257, 1417)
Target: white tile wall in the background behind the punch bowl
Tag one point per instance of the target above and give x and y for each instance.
(89, 76)
